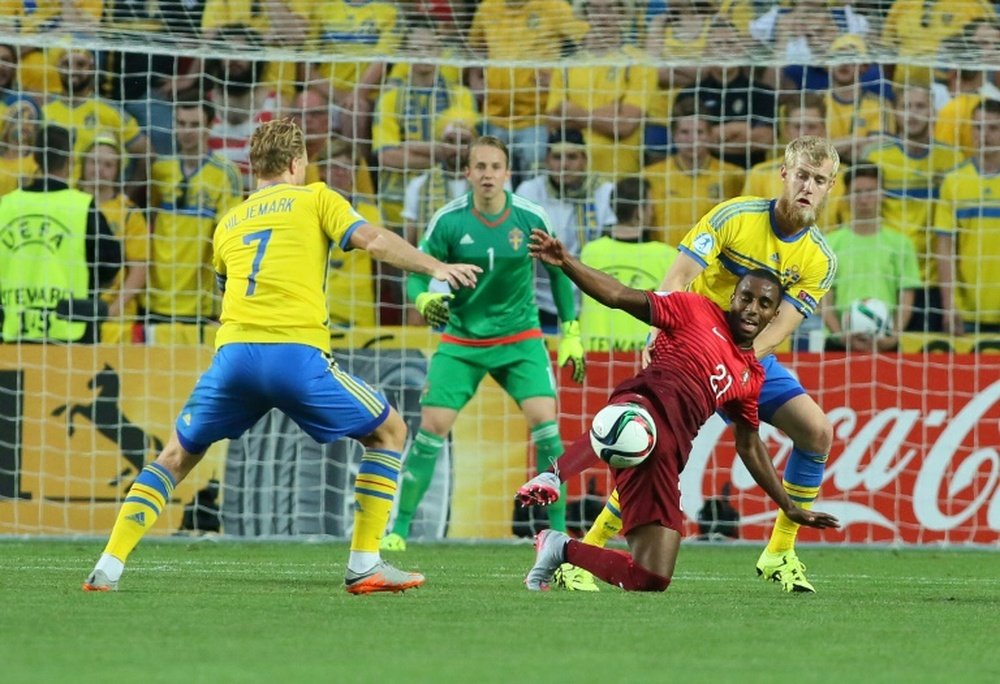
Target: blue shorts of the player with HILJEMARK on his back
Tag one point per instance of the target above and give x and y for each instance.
(245, 381)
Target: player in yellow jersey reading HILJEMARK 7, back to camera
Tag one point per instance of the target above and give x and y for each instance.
(273, 351)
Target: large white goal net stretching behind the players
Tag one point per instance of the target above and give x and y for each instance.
(695, 100)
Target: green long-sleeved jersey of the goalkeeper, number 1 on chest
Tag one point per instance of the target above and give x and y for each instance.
(503, 301)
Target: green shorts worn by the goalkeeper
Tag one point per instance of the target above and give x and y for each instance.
(522, 368)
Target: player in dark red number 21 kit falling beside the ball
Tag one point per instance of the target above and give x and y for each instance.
(705, 361)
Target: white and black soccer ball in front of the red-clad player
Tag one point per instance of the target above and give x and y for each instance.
(623, 435)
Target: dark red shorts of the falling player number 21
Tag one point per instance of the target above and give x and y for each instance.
(650, 492)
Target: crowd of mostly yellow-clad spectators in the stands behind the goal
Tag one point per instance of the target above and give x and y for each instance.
(664, 90)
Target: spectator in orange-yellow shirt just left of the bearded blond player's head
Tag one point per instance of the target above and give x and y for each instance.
(691, 181)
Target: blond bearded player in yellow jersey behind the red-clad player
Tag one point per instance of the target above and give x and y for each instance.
(780, 235)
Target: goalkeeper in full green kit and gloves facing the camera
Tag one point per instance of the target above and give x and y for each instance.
(492, 328)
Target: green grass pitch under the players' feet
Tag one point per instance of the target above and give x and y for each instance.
(217, 612)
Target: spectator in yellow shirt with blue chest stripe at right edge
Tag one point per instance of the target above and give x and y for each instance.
(967, 220)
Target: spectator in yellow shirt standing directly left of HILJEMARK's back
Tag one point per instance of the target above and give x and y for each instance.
(189, 193)
